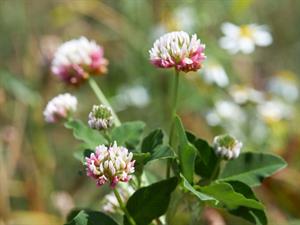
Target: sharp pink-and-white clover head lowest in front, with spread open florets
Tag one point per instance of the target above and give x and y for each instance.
(110, 164)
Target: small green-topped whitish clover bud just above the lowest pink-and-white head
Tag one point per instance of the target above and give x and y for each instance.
(100, 118)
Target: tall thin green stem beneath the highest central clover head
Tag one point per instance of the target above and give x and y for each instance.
(173, 114)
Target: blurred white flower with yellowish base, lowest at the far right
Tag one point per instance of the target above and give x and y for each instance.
(274, 111)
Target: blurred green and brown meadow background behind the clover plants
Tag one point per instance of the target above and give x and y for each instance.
(253, 96)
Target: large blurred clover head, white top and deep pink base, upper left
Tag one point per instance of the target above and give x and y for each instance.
(76, 60)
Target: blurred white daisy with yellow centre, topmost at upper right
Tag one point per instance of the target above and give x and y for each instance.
(244, 38)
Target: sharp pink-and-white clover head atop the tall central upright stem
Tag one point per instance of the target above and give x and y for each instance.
(178, 50)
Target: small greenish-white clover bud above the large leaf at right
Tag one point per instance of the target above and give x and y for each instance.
(227, 147)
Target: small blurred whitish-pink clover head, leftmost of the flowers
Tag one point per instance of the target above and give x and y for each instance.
(60, 107)
